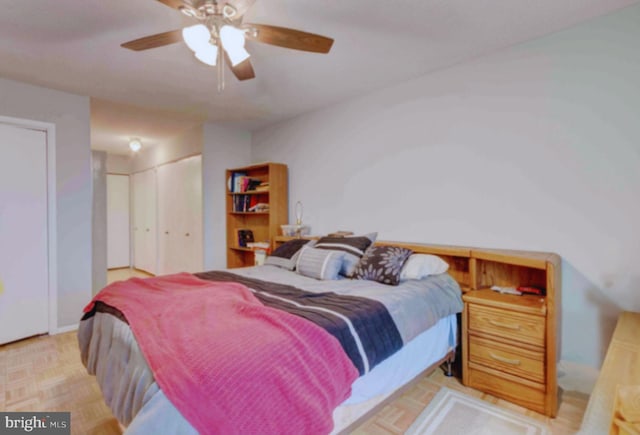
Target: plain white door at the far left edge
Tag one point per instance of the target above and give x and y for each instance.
(23, 233)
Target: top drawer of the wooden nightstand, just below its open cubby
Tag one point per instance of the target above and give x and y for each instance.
(522, 327)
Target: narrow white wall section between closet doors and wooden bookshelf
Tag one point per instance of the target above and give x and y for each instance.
(223, 148)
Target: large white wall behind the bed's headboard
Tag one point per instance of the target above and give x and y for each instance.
(536, 147)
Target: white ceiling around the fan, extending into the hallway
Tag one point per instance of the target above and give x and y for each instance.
(74, 45)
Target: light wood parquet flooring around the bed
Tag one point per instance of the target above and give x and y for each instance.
(45, 374)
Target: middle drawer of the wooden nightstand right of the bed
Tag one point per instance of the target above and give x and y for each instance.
(520, 362)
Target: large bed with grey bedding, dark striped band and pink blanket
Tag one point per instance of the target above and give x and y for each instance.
(422, 312)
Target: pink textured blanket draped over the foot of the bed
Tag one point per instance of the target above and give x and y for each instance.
(228, 363)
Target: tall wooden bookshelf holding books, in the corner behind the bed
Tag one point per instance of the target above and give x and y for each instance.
(265, 225)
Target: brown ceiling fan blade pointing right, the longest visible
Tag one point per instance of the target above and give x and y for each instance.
(290, 38)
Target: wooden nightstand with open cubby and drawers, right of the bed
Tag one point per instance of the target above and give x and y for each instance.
(509, 342)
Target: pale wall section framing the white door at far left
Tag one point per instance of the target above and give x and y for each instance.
(70, 114)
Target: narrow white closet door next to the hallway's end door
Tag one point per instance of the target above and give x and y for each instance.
(145, 231)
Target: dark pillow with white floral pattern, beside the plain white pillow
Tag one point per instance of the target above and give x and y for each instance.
(382, 264)
